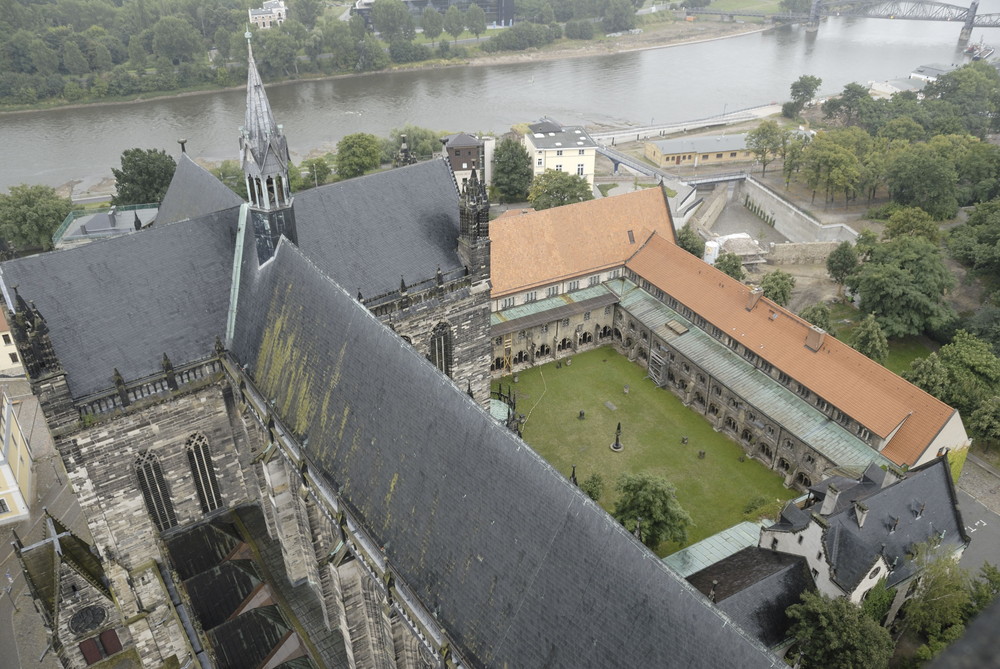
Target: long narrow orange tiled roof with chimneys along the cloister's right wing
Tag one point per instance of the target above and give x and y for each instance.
(866, 391)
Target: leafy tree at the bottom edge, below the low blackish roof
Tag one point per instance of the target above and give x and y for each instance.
(836, 634)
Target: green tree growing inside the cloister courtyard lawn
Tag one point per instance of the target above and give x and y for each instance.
(650, 503)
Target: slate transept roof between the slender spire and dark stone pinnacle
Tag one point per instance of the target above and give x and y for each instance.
(366, 232)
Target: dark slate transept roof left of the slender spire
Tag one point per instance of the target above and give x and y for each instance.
(124, 302)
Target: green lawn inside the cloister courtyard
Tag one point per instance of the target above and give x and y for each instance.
(715, 490)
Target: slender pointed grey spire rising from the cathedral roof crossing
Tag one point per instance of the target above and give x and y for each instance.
(264, 155)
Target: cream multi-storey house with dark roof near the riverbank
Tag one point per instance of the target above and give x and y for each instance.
(564, 149)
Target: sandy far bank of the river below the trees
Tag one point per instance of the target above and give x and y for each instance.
(658, 35)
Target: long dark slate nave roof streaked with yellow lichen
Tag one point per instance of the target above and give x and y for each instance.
(520, 567)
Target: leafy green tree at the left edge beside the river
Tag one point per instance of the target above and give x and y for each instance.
(29, 215)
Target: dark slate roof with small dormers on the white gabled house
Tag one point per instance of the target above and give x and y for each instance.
(852, 550)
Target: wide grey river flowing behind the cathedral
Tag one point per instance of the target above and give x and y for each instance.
(658, 85)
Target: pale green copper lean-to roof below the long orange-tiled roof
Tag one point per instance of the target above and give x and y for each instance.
(796, 416)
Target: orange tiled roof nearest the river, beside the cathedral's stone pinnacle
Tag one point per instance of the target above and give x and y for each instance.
(536, 248)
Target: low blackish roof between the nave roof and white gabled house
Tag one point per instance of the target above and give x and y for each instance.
(755, 587)
